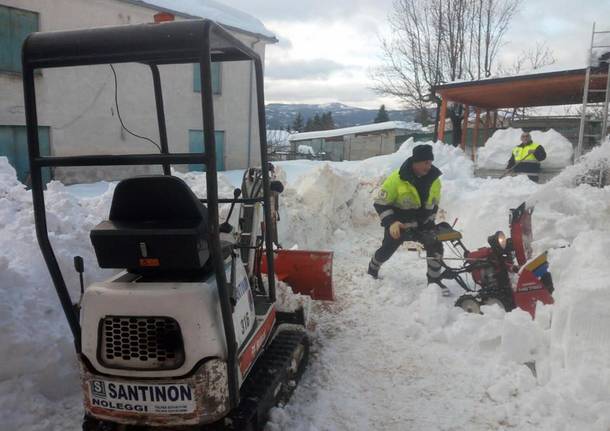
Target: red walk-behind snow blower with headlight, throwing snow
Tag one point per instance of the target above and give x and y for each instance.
(504, 273)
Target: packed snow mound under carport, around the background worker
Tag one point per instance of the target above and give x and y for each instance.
(498, 149)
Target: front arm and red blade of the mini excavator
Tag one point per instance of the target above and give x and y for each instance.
(308, 272)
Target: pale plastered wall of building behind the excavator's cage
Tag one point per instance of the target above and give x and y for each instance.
(79, 103)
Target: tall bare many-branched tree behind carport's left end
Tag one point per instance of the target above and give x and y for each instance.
(438, 41)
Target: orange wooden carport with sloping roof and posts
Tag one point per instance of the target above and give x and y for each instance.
(541, 89)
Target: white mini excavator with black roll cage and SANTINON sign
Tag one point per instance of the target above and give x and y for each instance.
(178, 338)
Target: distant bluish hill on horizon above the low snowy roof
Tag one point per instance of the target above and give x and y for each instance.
(281, 115)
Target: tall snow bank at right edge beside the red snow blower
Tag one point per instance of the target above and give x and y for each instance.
(572, 374)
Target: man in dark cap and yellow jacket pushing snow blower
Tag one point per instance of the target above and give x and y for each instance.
(407, 204)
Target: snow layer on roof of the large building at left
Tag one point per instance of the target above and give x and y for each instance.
(210, 9)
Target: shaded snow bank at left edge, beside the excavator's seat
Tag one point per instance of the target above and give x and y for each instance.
(38, 364)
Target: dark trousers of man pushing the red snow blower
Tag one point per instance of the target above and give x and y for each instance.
(434, 250)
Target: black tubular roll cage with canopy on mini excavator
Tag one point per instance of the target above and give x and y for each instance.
(189, 41)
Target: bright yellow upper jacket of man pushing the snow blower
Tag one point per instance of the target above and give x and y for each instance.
(402, 194)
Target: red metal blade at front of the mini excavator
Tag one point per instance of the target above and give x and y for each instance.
(307, 272)
